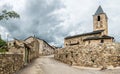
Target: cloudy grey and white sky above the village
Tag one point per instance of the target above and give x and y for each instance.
(52, 20)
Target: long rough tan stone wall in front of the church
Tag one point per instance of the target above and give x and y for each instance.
(98, 56)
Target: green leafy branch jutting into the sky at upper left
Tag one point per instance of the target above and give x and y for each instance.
(8, 14)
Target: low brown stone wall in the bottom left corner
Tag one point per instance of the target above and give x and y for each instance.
(10, 63)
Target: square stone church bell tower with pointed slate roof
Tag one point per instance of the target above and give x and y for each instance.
(100, 21)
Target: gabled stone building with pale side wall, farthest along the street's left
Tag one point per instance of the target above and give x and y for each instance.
(40, 45)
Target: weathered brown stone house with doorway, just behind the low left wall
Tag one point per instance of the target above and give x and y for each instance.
(29, 48)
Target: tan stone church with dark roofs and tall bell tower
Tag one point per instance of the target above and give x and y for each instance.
(99, 34)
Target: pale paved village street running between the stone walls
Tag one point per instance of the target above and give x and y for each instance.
(47, 65)
